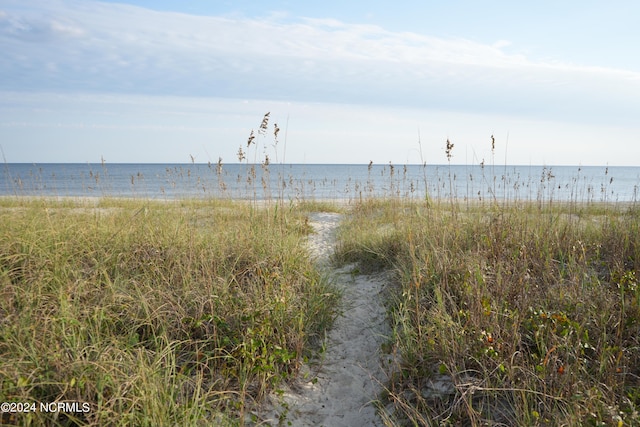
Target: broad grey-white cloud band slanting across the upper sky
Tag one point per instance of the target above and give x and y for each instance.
(70, 45)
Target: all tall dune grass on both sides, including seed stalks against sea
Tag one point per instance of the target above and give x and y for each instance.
(511, 306)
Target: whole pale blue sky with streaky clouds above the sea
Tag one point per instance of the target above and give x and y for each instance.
(141, 81)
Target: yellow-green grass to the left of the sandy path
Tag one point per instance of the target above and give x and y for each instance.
(154, 313)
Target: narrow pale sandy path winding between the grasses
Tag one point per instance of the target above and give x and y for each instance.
(339, 389)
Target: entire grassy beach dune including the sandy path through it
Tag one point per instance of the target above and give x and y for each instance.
(378, 312)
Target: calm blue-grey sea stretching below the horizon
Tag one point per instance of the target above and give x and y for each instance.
(315, 181)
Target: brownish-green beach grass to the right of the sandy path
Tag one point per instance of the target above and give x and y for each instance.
(510, 313)
